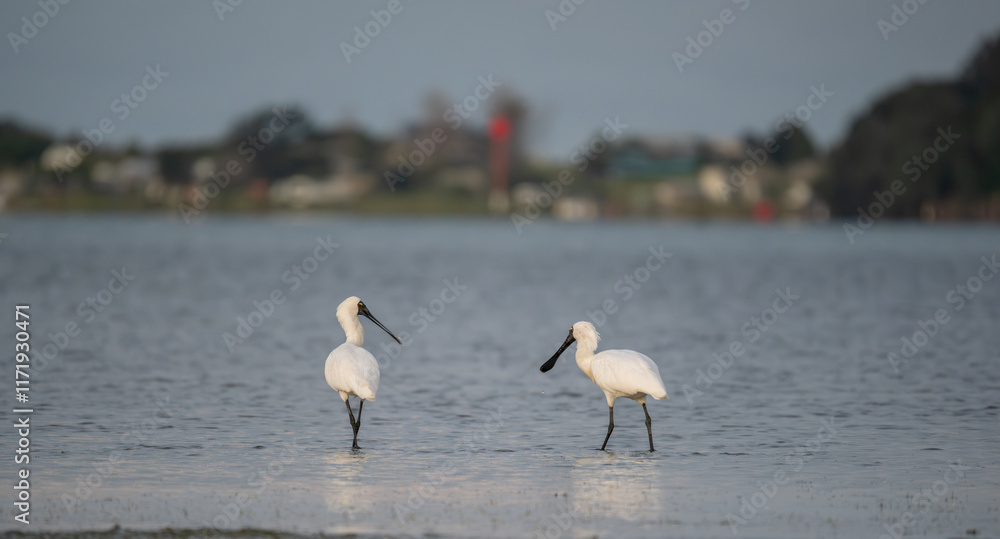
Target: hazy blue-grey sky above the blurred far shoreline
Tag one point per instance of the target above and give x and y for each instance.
(607, 59)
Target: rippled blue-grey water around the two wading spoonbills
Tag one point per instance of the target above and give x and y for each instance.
(148, 419)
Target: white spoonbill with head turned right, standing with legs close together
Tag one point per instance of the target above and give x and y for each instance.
(350, 369)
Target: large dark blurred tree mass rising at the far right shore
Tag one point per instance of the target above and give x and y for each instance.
(891, 141)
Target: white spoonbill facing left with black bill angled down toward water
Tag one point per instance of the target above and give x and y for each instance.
(619, 373)
